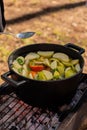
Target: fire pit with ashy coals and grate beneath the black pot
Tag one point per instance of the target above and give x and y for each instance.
(17, 115)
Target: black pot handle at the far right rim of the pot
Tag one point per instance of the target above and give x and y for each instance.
(75, 47)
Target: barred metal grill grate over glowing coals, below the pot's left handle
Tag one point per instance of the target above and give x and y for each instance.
(16, 115)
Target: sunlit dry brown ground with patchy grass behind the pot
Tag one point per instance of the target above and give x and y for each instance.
(55, 21)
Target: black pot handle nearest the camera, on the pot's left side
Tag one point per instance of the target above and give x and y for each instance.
(10, 81)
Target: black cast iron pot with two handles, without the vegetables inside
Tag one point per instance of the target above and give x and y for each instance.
(44, 92)
